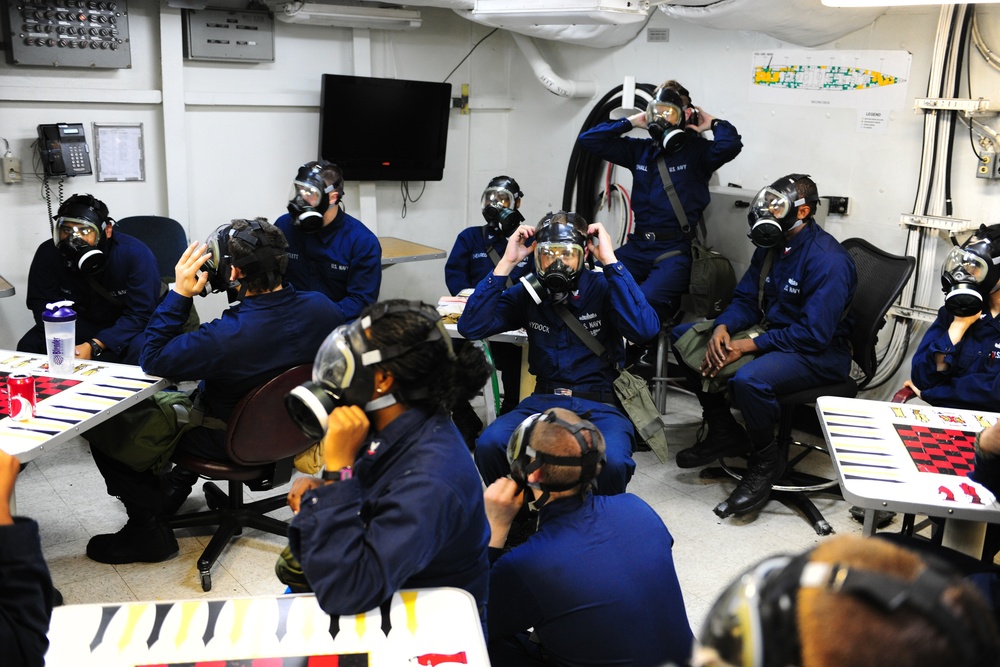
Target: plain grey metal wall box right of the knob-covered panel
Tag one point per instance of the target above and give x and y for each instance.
(237, 35)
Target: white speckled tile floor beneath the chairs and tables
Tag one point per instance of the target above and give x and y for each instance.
(64, 492)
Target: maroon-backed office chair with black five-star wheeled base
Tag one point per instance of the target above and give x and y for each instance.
(261, 441)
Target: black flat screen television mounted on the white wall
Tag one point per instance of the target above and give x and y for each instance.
(384, 129)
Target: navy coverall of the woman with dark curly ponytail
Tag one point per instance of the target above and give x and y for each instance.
(411, 517)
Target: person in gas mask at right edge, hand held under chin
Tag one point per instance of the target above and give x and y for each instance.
(958, 361)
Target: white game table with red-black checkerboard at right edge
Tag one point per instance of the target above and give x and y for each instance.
(911, 459)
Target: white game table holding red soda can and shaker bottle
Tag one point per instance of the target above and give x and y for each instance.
(69, 404)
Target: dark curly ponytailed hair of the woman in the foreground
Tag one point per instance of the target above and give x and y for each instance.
(430, 362)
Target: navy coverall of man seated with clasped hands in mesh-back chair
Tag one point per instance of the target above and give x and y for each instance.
(807, 295)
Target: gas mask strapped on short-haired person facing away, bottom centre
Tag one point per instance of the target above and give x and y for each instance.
(524, 459)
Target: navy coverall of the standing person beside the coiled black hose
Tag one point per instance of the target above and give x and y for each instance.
(657, 230)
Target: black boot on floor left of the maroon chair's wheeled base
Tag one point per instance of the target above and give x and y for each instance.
(145, 538)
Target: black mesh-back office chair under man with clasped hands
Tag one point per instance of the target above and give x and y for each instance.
(881, 278)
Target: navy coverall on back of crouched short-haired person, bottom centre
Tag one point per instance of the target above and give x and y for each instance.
(598, 585)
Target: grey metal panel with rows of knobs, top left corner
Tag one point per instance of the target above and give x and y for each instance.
(68, 33)
